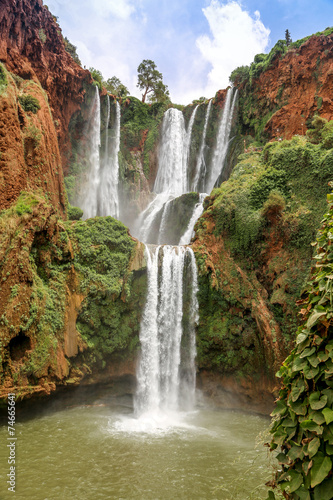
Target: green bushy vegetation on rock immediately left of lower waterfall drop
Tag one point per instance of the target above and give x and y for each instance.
(103, 250)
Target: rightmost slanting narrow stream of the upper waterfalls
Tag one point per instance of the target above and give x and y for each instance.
(222, 141)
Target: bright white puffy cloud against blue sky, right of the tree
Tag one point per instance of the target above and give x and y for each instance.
(236, 38)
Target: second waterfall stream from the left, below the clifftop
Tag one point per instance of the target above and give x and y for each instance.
(108, 192)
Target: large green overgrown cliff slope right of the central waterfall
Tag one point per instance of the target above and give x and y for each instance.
(263, 220)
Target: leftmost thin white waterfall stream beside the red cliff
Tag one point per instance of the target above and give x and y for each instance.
(90, 202)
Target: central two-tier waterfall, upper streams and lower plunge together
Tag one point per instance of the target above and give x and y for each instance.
(166, 369)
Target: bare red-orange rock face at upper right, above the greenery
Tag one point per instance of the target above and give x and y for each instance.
(294, 88)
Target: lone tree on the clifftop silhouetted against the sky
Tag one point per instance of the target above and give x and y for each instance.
(151, 81)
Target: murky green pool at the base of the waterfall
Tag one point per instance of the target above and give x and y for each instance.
(101, 452)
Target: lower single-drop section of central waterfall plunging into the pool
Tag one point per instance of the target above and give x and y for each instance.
(166, 371)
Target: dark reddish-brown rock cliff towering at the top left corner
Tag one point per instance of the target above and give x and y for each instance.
(32, 47)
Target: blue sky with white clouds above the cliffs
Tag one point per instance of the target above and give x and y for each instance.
(195, 44)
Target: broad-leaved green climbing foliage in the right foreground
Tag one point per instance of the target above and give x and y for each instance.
(302, 428)
